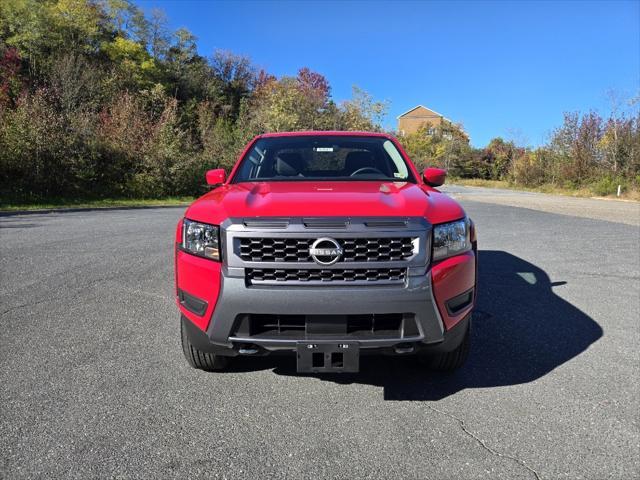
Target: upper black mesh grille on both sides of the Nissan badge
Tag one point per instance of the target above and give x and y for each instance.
(297, 249)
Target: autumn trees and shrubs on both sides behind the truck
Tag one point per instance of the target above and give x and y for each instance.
(99, 99)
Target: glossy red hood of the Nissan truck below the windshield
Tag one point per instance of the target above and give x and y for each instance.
(324, 199)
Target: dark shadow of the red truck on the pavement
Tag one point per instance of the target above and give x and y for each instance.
(521, 331)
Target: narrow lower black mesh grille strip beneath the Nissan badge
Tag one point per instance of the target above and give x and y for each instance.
(355, 275)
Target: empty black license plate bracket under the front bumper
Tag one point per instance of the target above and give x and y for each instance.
(325, 357)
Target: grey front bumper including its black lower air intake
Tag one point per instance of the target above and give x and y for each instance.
(388, 319)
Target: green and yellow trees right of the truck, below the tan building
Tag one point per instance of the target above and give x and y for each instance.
(586, 151)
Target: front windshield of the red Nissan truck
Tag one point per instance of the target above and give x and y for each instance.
(319, 157)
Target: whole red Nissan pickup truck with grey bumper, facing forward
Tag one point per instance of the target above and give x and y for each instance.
(327, 246)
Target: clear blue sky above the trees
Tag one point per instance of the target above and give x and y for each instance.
(501, 68)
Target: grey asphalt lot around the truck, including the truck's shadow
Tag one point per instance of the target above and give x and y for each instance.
(93, 382)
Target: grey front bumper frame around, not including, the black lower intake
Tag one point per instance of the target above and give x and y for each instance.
(236, 299)
